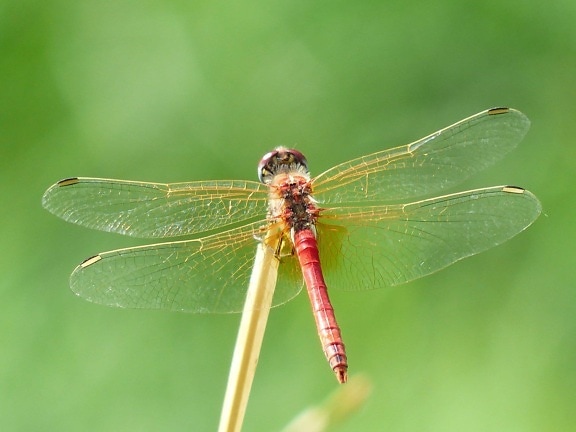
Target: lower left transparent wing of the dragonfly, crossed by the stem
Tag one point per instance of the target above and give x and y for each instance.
(207, 275)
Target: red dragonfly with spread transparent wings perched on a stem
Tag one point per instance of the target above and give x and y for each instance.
(363, 224)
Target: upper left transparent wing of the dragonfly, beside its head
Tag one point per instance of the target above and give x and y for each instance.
(157, 210)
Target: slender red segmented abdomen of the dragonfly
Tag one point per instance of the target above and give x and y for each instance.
(328, 329)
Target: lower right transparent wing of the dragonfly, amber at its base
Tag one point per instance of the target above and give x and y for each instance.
(386, 245)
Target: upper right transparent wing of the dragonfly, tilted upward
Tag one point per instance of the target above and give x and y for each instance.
(427, 166)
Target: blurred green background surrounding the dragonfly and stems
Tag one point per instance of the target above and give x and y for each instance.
(175, 91)
